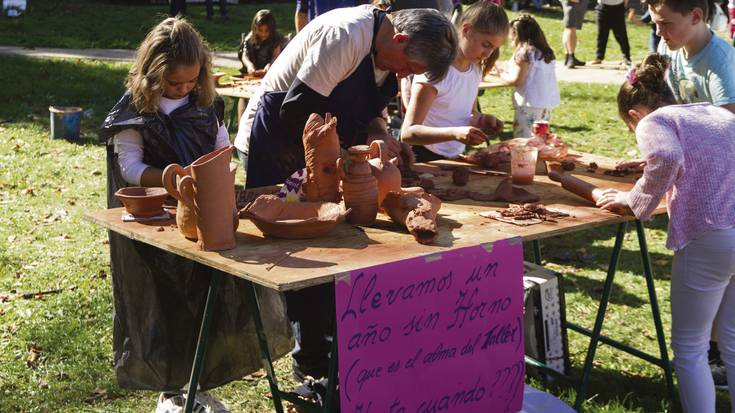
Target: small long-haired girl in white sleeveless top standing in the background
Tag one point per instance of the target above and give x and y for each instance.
(532, 73)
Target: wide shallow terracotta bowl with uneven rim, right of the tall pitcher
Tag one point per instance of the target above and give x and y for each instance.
(293, 220)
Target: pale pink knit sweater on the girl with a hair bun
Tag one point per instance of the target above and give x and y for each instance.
(690, 159)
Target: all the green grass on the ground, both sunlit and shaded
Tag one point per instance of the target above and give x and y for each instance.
(55, 349)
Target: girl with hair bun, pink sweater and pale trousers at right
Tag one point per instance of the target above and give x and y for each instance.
(689, 152)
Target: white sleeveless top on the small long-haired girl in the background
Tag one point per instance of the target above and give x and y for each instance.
(540, 89)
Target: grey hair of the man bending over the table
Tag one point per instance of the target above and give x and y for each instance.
(433, 39)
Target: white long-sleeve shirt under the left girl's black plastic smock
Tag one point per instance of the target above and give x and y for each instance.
(129, 144)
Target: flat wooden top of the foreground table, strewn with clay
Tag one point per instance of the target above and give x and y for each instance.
(295, 264)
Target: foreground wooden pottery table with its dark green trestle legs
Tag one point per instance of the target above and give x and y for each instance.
(295, 264)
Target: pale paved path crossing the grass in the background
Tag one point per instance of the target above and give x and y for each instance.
(583, 74)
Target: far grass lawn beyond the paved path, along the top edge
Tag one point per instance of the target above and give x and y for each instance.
(105, 24)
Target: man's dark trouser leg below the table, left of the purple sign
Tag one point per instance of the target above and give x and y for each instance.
(311, 313)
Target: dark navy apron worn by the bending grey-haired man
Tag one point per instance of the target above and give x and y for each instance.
(355, 101)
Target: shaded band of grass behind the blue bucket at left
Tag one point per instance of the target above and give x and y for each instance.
(94, 86)
